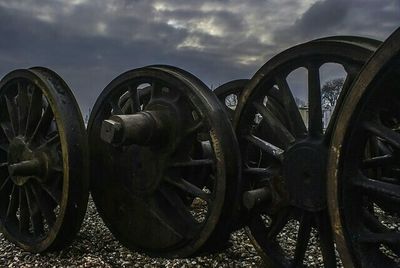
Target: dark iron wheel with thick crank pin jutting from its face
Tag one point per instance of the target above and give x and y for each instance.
(151, 180)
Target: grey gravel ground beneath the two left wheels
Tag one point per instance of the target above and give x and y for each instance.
(96, 247)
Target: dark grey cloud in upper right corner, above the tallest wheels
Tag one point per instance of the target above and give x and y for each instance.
(376, 19)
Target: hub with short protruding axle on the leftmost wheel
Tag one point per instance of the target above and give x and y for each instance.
(24, 163)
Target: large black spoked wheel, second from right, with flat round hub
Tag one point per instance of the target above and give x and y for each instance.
(283, 161)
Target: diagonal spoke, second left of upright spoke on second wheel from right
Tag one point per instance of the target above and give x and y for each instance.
(275, 125)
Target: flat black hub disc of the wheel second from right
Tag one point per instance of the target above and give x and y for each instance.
(304, 173)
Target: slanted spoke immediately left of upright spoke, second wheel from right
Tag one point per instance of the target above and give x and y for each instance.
(296, 121)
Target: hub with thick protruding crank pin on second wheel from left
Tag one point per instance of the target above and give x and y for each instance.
(151, 135)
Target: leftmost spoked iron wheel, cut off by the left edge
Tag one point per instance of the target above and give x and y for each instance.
(44, 170)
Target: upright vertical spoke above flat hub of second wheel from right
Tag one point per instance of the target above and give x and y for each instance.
(314, 100)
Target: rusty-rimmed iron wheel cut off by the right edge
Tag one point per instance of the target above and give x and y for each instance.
(364, 164)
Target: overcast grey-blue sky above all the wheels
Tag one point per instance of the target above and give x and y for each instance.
(89, 42)
